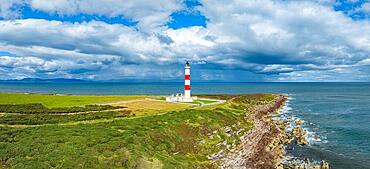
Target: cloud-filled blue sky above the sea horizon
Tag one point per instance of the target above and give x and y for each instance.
(224, 40)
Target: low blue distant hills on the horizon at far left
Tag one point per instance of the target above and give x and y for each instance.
(38, 80)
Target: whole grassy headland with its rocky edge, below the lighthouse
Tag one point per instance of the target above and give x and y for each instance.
(70, 131)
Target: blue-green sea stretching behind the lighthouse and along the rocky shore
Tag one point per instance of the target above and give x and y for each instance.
(336, 114)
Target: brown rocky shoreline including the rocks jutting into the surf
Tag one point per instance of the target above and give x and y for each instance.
(264, 146)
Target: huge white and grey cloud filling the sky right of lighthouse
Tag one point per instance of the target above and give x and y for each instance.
(284, 36)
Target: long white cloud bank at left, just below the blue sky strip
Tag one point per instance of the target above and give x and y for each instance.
(79, 40)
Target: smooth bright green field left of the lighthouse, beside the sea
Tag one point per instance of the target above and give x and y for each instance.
(59, 100)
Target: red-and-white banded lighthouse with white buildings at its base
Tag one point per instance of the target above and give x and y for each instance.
(187, 96)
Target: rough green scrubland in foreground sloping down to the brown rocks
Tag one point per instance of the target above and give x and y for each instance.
(170, 138)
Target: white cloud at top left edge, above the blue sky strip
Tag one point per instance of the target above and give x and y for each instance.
(149, 14)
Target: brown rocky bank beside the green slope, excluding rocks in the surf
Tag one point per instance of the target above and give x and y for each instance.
(263, 146)
